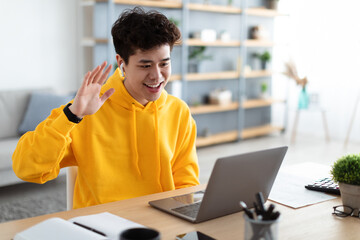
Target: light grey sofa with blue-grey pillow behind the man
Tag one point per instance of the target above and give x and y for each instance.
(15, 106)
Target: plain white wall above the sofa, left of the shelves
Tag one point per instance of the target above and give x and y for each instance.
(38, 44)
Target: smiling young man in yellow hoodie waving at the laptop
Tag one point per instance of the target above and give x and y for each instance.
(129, 137)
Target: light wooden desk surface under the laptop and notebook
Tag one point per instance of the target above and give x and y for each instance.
(312, 222)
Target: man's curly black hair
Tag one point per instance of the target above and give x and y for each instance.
(137, 29)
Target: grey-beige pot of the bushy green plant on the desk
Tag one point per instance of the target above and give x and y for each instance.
(350, 195)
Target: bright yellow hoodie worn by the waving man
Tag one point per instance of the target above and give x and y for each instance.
(124, 150)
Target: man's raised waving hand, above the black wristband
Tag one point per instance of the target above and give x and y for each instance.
(87, 100)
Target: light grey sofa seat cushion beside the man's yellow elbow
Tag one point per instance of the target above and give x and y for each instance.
(7, 148)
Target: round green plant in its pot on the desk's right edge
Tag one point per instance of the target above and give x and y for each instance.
(346, 172)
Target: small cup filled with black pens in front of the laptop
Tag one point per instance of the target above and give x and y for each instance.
(260, 223)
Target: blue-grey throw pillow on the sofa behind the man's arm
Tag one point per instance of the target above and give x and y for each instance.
(39, 108)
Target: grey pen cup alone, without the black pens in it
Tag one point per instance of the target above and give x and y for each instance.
(261, 230)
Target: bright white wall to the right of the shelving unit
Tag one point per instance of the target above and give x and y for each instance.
(324, 41)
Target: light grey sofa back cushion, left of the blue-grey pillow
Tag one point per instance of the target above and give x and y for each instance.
(12, 108)
